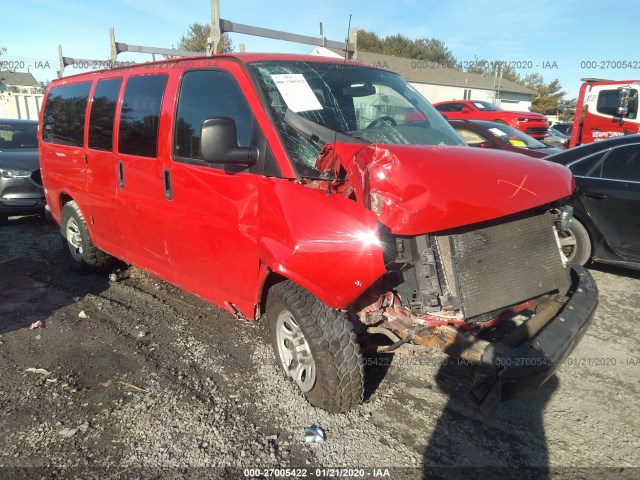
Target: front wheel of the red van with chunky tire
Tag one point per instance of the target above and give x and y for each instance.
(316, 347)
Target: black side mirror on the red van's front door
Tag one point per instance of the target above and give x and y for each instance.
(219, 143)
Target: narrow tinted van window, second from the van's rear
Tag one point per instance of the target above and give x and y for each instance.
(103, 111)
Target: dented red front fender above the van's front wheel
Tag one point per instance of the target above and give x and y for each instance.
(324, 242)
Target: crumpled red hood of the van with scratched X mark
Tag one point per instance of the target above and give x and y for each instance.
(424, 189)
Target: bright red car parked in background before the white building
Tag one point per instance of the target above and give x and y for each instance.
(533, 124)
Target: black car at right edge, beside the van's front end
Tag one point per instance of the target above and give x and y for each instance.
(606, 225)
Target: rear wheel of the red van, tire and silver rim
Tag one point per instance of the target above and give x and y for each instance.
(83, 255)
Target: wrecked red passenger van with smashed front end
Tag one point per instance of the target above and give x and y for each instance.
(331, 197)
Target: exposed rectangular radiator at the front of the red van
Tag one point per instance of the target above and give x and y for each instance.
(494, 267)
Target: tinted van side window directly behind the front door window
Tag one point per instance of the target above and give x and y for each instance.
(140, 115)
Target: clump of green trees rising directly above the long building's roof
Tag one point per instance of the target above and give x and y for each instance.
(429, 49)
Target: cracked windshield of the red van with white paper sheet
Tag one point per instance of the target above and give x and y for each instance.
(354, 103)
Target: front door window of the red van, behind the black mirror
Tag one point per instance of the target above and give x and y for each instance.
(208, 93)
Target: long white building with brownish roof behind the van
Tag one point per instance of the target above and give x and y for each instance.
(438, 83)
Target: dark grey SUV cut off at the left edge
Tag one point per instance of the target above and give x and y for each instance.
(20, 183)
